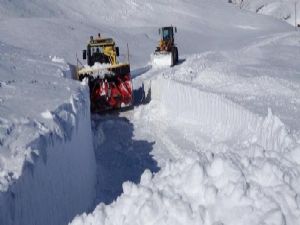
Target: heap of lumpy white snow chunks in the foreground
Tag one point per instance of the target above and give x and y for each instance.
(199, 190)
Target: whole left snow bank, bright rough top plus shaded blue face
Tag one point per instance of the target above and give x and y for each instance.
(47, 162)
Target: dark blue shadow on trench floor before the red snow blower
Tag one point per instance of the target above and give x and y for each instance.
(119, 157)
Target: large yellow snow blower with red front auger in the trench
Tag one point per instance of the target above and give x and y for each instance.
(109, 81)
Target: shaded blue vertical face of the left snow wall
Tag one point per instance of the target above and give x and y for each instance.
(59, 180)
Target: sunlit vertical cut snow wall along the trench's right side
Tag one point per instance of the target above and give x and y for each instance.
(218, 117)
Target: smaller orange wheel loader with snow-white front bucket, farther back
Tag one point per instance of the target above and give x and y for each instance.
(166, 53)
